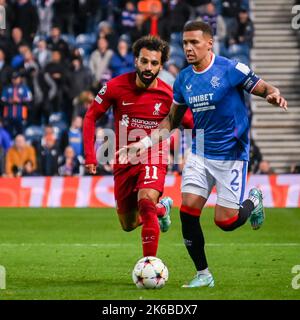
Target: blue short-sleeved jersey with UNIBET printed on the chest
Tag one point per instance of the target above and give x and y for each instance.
(216, 98)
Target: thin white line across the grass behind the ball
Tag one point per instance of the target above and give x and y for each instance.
(103, 245)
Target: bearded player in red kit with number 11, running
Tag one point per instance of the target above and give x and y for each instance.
(140, 100)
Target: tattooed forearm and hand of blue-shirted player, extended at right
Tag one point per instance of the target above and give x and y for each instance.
(270, 93)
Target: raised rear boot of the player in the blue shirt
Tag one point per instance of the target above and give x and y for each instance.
(257, 216)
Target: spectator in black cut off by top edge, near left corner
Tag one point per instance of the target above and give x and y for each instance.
(26, 18)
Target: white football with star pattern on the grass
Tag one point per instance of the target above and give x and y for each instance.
(150, 273)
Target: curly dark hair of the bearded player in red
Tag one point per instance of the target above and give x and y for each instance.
(154, 44)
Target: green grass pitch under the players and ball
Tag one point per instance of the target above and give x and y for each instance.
(84, 254)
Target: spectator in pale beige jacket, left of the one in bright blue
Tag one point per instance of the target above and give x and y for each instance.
(99, 62)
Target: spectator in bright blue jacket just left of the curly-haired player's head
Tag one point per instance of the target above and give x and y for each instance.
(122, 61)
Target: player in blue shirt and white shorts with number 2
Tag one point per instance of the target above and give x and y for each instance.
(212, 87)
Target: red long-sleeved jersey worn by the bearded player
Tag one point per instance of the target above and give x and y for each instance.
(133, 107)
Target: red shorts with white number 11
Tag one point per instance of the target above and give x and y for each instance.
(130, 179)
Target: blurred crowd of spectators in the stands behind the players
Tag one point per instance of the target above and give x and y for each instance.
(55, 55)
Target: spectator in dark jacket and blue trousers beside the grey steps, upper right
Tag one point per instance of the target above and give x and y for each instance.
(240, 37)
